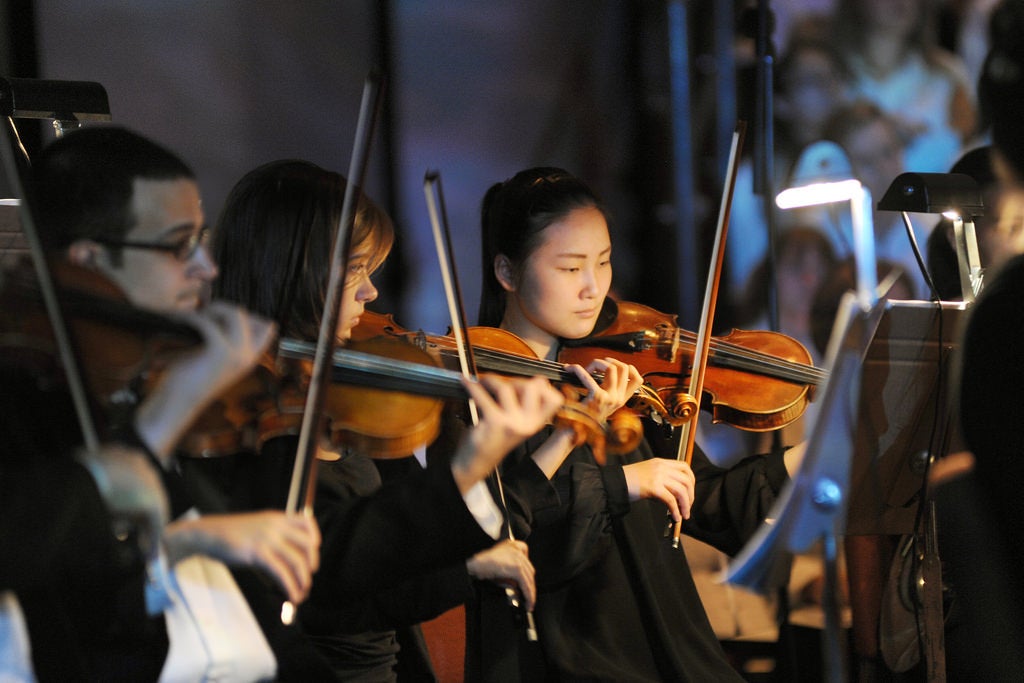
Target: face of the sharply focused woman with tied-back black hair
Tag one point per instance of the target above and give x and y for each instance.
(563, 284)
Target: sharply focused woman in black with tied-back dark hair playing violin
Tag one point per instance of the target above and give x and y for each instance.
(616, 603)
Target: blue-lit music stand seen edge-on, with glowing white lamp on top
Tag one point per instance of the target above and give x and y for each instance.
(813, 505)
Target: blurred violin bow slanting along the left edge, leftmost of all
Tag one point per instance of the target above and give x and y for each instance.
(158, 578)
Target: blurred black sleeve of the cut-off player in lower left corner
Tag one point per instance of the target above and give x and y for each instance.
(81, 589)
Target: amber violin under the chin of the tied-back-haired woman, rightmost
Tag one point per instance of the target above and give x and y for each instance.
(755, 380)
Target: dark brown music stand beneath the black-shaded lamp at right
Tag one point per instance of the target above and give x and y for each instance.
(906, 421)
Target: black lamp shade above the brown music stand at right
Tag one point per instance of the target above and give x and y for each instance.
(933, 193)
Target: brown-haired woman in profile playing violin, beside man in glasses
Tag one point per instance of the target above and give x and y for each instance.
(273, 243)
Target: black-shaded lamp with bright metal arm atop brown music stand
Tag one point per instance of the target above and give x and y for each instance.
(958, 198)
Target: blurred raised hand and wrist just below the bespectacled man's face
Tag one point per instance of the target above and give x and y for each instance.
(234, 343)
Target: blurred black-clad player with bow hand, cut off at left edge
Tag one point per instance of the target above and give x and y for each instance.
(81, 589)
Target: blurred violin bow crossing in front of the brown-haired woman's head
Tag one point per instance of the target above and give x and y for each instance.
(304, 485)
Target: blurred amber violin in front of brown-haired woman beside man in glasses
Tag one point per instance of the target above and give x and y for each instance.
(386, 399)
